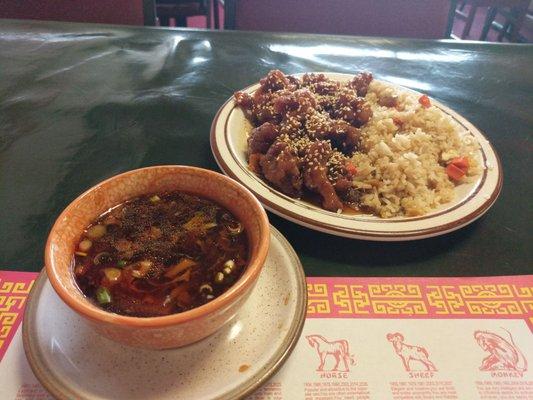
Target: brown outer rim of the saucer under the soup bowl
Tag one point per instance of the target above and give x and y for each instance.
(61, 391)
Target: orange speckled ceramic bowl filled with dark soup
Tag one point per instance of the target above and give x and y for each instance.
(158, 257)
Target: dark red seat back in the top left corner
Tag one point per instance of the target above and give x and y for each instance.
(129, 12)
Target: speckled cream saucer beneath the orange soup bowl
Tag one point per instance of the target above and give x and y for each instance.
(73, 362)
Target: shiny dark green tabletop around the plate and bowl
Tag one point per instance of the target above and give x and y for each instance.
(80, 103)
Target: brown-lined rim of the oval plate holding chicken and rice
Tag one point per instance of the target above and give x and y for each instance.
(351, 232)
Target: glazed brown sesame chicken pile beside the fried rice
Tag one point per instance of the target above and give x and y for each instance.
(305, 132)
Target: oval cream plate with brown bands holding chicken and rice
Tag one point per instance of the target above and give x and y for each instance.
(229, 145)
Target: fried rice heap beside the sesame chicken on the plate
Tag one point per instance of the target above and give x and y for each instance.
(401, 165)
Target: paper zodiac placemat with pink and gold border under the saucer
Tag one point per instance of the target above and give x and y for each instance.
(368, 338)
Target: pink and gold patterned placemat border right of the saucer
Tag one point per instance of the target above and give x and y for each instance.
(507, 297)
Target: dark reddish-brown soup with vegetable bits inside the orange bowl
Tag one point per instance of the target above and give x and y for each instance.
(160, 254)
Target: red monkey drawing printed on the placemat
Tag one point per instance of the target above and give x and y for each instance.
(503, 355)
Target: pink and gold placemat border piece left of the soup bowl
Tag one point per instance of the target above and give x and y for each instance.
(14, 289)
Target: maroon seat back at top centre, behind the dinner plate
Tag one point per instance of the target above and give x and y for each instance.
(400, 18)
